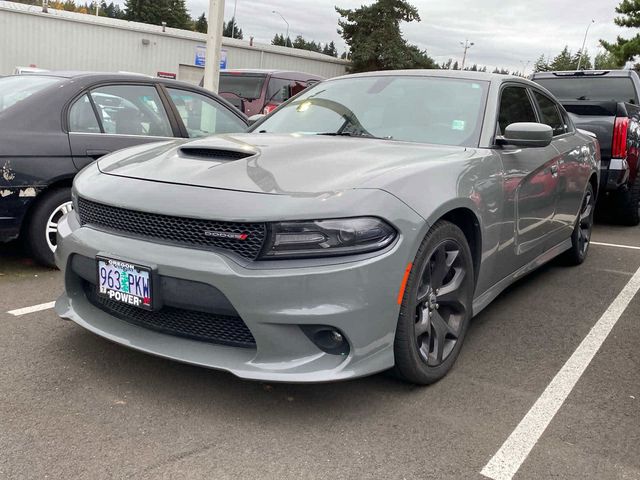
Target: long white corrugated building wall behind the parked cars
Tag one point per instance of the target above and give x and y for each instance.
(72, 41)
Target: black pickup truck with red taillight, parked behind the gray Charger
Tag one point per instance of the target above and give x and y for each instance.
(606, 103)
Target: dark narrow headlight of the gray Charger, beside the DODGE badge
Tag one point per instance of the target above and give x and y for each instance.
(324, 238)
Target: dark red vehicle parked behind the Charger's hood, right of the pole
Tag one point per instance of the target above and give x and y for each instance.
(256, 92)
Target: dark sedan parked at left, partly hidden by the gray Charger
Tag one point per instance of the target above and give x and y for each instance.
(54, 124)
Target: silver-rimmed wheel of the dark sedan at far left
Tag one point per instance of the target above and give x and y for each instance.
(42, 225)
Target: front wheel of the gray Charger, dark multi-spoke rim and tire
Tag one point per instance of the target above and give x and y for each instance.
(432, 324)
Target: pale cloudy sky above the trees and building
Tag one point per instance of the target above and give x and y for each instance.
(505, 33)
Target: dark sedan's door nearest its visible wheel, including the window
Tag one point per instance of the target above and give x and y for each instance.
(107, 118)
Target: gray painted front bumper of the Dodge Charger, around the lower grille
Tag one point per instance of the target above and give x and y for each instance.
(358, 297)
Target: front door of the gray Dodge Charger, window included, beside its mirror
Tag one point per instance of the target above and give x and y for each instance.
(530, 181)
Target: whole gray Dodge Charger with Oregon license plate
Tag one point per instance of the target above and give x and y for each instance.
(356, 229)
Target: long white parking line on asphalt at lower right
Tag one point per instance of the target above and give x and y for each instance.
(514, 451)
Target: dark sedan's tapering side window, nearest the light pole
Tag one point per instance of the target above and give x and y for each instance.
(203, 116)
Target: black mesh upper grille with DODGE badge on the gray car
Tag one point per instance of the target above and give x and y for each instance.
(192, 232)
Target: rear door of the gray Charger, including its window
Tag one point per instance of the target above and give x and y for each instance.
(573, 166)
